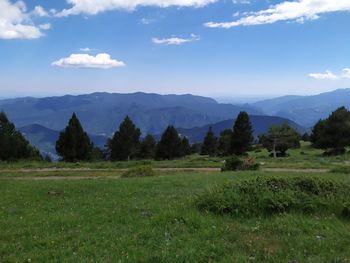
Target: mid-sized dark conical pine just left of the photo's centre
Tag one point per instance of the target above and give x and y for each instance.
(170, 145)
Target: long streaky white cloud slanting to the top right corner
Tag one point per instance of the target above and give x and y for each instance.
(298, 11)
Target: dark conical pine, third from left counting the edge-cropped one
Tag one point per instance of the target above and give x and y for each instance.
(125, 143)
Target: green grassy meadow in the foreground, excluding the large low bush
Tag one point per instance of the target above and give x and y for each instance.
(155, 220)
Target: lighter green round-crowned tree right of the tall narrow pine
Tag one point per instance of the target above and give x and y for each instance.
(279, 139)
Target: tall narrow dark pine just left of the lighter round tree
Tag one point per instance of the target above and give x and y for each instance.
(242, 137)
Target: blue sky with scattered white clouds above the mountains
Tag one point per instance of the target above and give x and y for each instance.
(217, 48)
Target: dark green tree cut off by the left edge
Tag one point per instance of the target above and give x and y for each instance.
(13, 146)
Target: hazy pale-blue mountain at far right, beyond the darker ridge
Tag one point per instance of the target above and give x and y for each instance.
(305, 110)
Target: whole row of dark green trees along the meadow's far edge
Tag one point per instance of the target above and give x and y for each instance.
(331, 134)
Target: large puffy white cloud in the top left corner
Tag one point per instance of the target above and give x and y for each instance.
(15, 22)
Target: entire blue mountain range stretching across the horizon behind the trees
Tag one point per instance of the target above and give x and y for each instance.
(41, 119)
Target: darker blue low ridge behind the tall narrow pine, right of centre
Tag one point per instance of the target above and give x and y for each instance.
(261, 124)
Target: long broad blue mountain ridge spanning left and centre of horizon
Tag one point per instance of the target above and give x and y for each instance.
(101, 113)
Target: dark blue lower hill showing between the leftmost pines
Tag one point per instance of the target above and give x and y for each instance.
(45, 139)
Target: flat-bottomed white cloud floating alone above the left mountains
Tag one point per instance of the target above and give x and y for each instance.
(100, 61)
